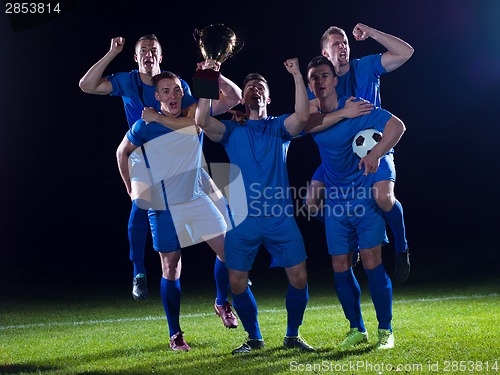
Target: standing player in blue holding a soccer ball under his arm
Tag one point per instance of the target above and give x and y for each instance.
(353, 219)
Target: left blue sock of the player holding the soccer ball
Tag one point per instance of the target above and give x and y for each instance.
(349, 294)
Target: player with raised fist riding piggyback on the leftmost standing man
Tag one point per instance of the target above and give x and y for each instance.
(138, 93)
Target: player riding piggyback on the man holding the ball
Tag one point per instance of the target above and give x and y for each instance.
(361, 78)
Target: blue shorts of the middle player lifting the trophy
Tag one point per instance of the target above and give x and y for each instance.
(280, 236)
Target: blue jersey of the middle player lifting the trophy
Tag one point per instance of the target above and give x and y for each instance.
(259, 148)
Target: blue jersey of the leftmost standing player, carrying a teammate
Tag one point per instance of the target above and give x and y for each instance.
(174, 159)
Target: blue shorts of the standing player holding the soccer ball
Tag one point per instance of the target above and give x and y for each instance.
(352, 225)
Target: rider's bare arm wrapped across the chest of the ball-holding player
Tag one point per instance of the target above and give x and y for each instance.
(353, 108)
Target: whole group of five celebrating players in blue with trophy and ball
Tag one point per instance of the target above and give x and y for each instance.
(246, 205)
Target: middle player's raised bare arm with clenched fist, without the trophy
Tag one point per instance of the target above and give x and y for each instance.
(295, 123)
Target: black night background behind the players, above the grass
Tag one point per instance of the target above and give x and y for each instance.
(64, 207)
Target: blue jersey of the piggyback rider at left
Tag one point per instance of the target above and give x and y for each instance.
(136, 94)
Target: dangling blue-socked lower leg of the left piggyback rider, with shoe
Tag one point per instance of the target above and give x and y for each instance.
(138, 227)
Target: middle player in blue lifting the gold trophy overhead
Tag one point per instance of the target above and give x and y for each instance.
(259, 150)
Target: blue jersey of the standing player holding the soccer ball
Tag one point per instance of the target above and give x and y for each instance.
(343, 178)
